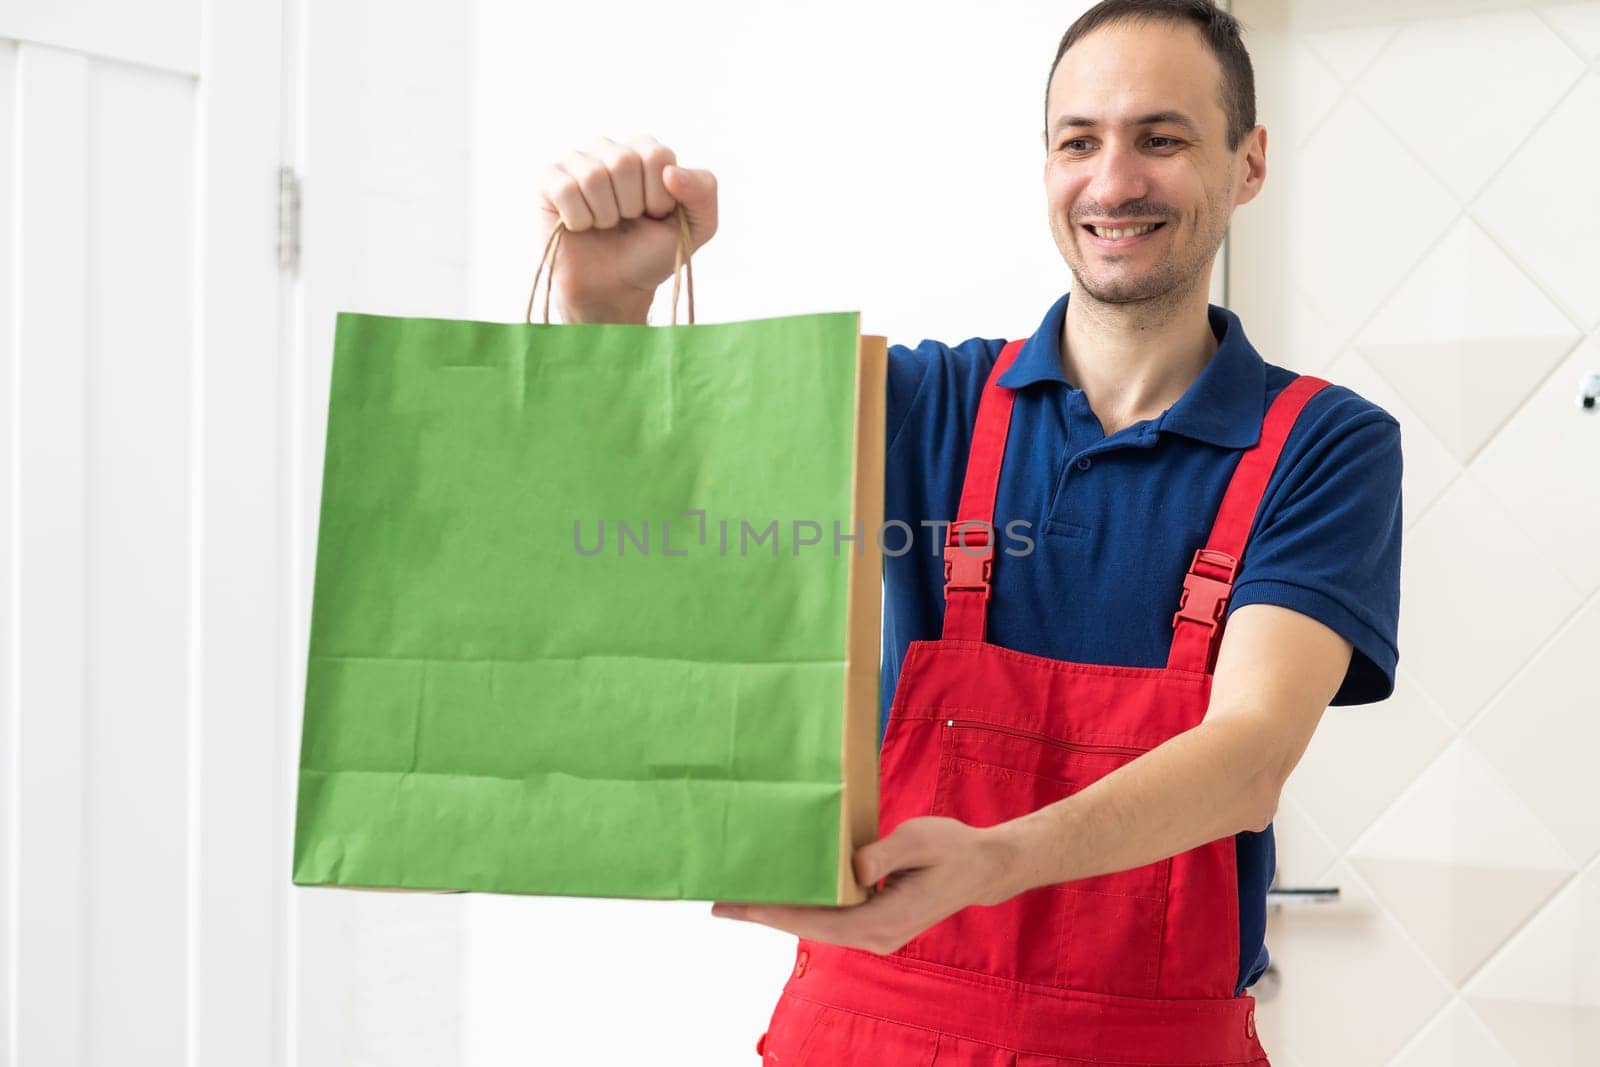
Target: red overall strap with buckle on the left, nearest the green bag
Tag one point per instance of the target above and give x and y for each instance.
(970, 545)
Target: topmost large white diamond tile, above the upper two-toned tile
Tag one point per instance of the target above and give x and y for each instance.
(1430, 89)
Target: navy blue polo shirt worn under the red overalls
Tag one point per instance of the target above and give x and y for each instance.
(1116, 521)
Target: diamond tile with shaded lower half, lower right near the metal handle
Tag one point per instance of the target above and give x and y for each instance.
(1460, 861)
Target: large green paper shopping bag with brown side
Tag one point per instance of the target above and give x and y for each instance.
(596, 610)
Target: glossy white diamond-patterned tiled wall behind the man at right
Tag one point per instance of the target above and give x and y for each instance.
(1428, 236)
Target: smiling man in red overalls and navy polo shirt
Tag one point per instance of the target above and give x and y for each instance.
(1078, 783)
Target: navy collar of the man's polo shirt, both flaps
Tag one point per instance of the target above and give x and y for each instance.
(1223, 407)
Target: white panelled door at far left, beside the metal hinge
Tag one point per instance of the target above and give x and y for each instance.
(143, 823)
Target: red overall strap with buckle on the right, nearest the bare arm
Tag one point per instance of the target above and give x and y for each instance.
(1202, 610)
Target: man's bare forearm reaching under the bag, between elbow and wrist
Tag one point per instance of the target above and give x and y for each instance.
(1209, 783)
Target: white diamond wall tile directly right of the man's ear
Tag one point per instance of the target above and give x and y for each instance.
(1343, 217)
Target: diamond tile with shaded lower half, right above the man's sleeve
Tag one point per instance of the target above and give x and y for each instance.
(1466, 338)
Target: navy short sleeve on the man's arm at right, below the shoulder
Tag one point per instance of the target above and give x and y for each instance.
(1327, 538)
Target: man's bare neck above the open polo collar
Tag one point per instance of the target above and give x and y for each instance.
(1135, 361)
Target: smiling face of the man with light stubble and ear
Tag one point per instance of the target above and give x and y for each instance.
(1137, 138)
